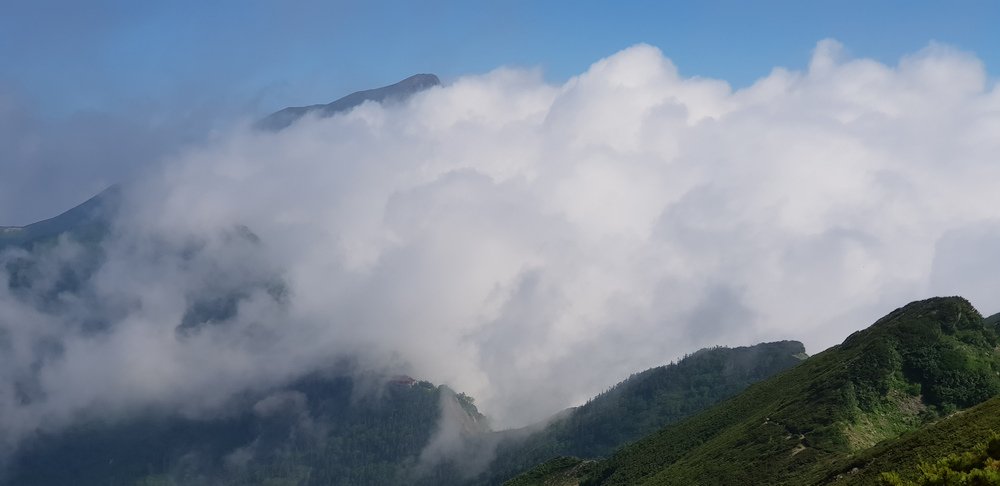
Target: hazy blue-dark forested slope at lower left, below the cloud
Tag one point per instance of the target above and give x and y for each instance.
(320, 430)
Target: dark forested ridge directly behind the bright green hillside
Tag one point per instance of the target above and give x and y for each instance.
(645, 402)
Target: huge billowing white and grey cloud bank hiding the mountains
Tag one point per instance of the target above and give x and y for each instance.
(527, 243)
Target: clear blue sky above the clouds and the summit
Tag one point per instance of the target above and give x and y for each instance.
(262, 55)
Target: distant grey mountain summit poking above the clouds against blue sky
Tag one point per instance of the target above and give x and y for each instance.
(394, 92)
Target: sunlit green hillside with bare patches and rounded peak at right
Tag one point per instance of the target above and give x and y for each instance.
(921, 361)
